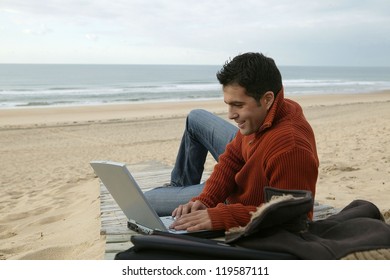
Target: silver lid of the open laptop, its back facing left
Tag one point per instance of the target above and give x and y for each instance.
(127, 194)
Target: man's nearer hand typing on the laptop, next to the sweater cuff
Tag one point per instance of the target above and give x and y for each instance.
(194, 221)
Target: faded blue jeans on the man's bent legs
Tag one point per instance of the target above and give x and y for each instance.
(204, 132)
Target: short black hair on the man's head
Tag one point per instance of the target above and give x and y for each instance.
(255, 72)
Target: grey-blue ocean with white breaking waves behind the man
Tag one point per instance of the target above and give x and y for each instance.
(43, 85)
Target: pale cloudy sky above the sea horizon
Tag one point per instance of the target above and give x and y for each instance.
(293, 32)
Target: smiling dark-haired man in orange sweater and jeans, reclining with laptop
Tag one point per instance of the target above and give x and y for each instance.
(274, 146)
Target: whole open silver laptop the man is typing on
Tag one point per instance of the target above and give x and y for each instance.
(142, 218)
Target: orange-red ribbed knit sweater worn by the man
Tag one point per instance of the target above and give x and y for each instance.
(282, 154)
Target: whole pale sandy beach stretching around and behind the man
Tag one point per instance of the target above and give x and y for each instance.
(49, 201)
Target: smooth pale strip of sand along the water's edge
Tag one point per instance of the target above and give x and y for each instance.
(36, 116)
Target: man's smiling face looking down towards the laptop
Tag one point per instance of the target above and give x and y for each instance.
(244, 110)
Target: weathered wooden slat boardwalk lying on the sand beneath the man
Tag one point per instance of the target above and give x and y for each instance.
(149, 175)
